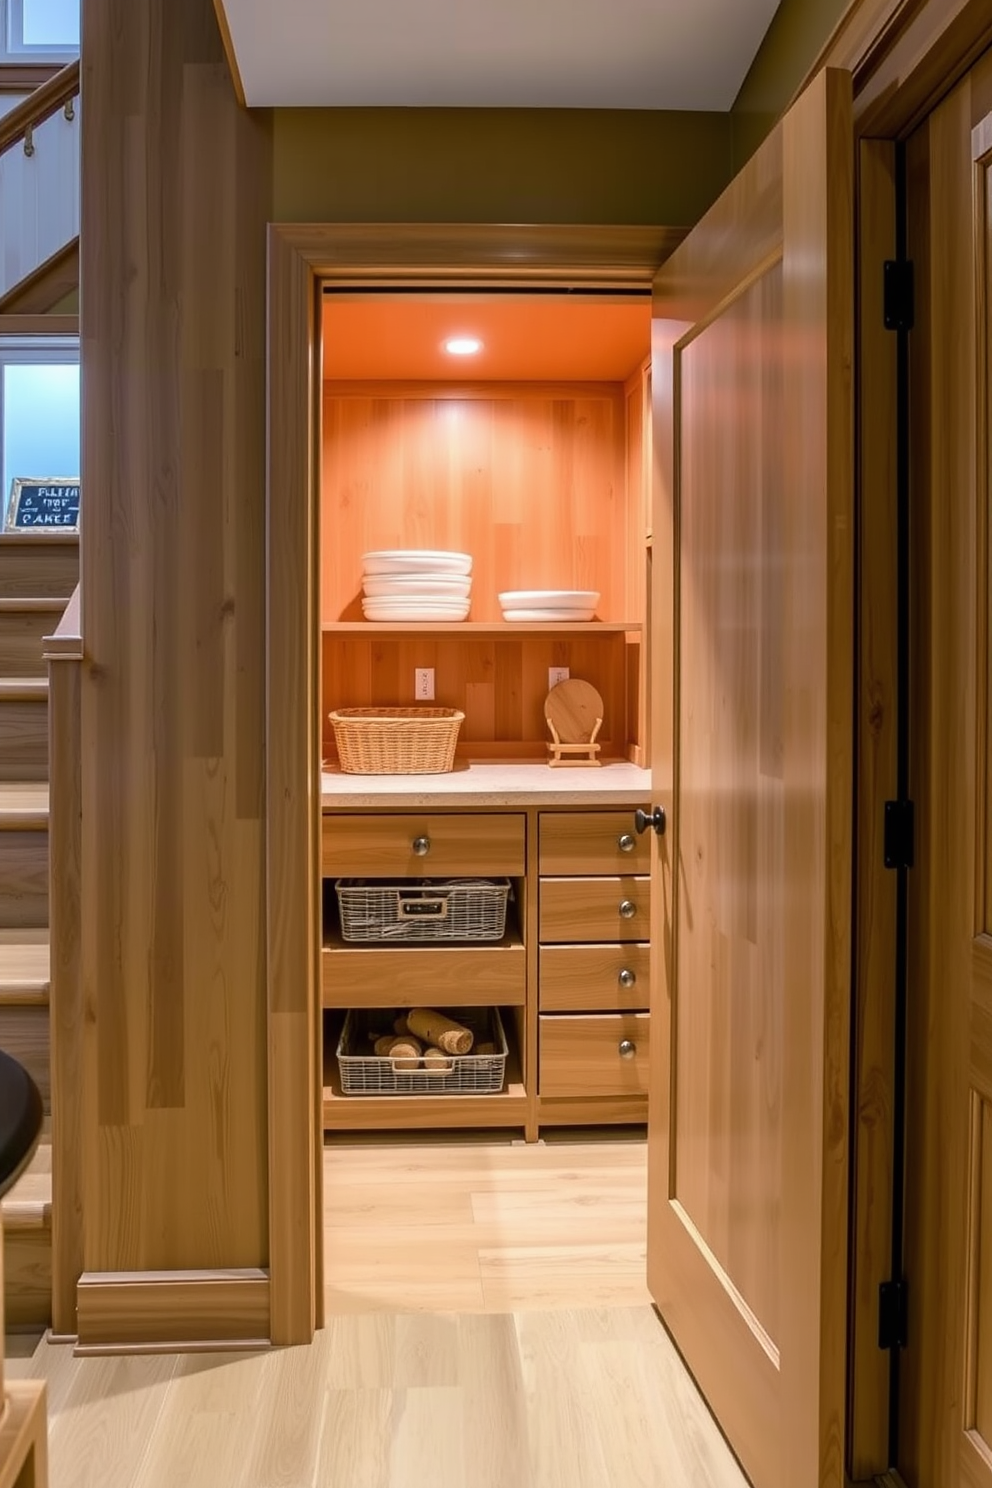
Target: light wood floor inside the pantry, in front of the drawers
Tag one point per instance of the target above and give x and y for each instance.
(484, 1227)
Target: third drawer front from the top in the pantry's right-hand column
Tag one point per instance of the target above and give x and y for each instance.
(594, 978)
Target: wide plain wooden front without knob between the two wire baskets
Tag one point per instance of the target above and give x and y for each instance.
(425, 977)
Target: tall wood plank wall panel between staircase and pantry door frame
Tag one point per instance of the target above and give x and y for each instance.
(176, 194)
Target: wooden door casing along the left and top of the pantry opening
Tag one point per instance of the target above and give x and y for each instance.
(303, 260)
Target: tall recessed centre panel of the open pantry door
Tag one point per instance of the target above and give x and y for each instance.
(731, 794)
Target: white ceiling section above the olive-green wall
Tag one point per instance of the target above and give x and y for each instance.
(499, 54)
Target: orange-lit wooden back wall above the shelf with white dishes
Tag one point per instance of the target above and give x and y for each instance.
(530, 480)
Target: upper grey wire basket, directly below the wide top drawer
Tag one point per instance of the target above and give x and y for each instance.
(423, 910)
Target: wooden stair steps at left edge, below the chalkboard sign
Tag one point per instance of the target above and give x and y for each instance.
(38, 575)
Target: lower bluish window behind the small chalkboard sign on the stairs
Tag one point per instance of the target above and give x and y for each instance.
(39, 411)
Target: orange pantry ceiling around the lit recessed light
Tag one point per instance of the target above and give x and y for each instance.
(524, 340)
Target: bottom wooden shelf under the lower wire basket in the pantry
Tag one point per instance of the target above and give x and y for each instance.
(423, 1112)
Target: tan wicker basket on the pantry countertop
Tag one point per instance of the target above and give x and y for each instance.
(396, 742)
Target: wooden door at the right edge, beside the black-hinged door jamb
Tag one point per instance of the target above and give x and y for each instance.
(945, 1401)
